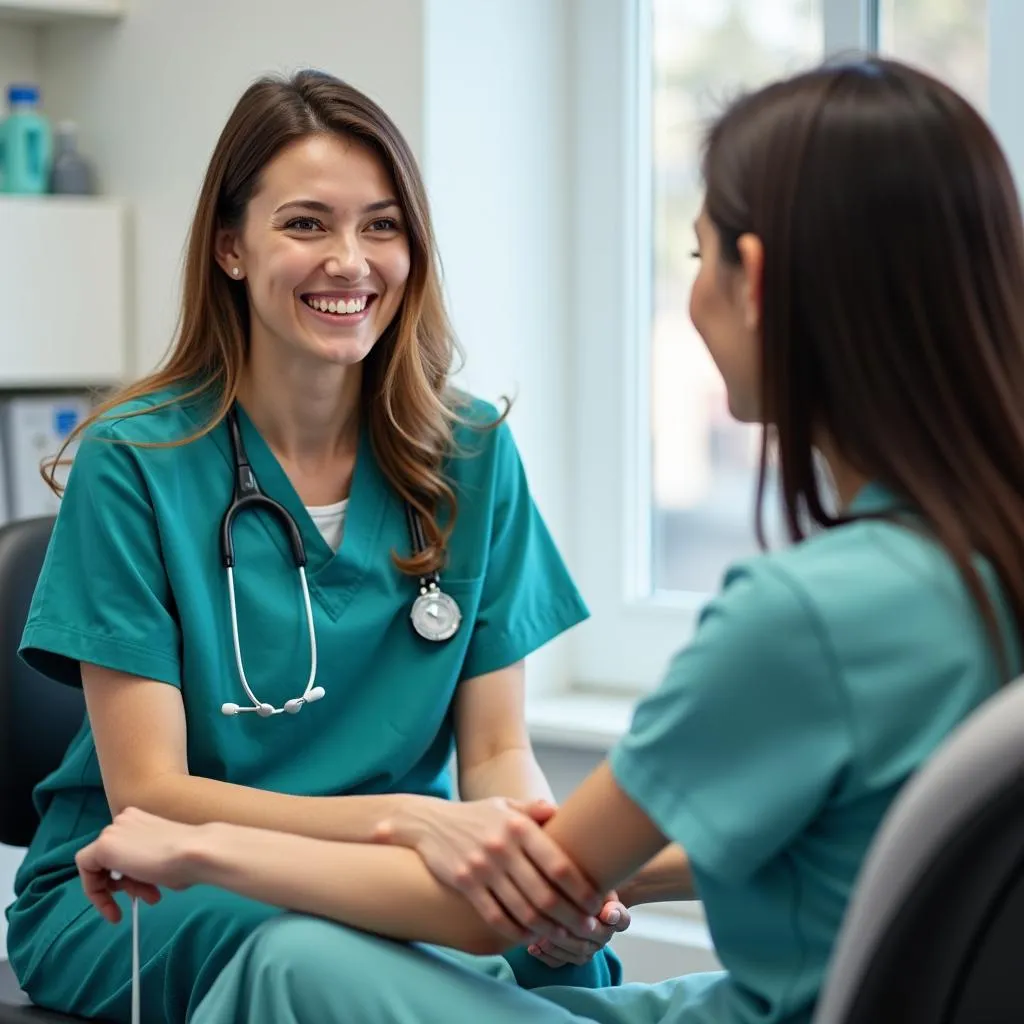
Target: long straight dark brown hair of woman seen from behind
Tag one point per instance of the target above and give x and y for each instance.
(893, 300)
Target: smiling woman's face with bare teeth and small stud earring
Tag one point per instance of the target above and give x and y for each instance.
(323, 251)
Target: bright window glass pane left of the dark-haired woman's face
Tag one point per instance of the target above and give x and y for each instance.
(703, 462)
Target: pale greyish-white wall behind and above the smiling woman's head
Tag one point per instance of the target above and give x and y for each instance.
(152, 94)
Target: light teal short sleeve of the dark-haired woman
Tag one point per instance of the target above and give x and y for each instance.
(747, 735)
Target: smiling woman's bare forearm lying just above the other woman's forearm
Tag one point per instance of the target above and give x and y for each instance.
(194, 800)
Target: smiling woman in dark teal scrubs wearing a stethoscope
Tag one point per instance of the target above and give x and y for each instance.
(310, 387)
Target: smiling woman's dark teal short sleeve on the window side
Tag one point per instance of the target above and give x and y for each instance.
(528, 595)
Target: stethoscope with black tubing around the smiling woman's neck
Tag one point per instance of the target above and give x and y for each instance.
(436, 616)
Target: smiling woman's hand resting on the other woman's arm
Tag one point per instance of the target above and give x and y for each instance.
(496, 855)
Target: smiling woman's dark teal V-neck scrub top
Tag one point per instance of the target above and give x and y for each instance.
(134, 581)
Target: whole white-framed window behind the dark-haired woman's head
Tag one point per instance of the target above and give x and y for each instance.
(666, 480)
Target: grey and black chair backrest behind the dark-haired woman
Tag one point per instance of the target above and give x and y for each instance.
(935, 931)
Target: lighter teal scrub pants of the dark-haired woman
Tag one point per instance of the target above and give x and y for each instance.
(300, 970)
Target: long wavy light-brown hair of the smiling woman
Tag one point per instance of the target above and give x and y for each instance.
(407, 403)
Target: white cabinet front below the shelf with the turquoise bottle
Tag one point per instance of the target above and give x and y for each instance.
(63, 291)
